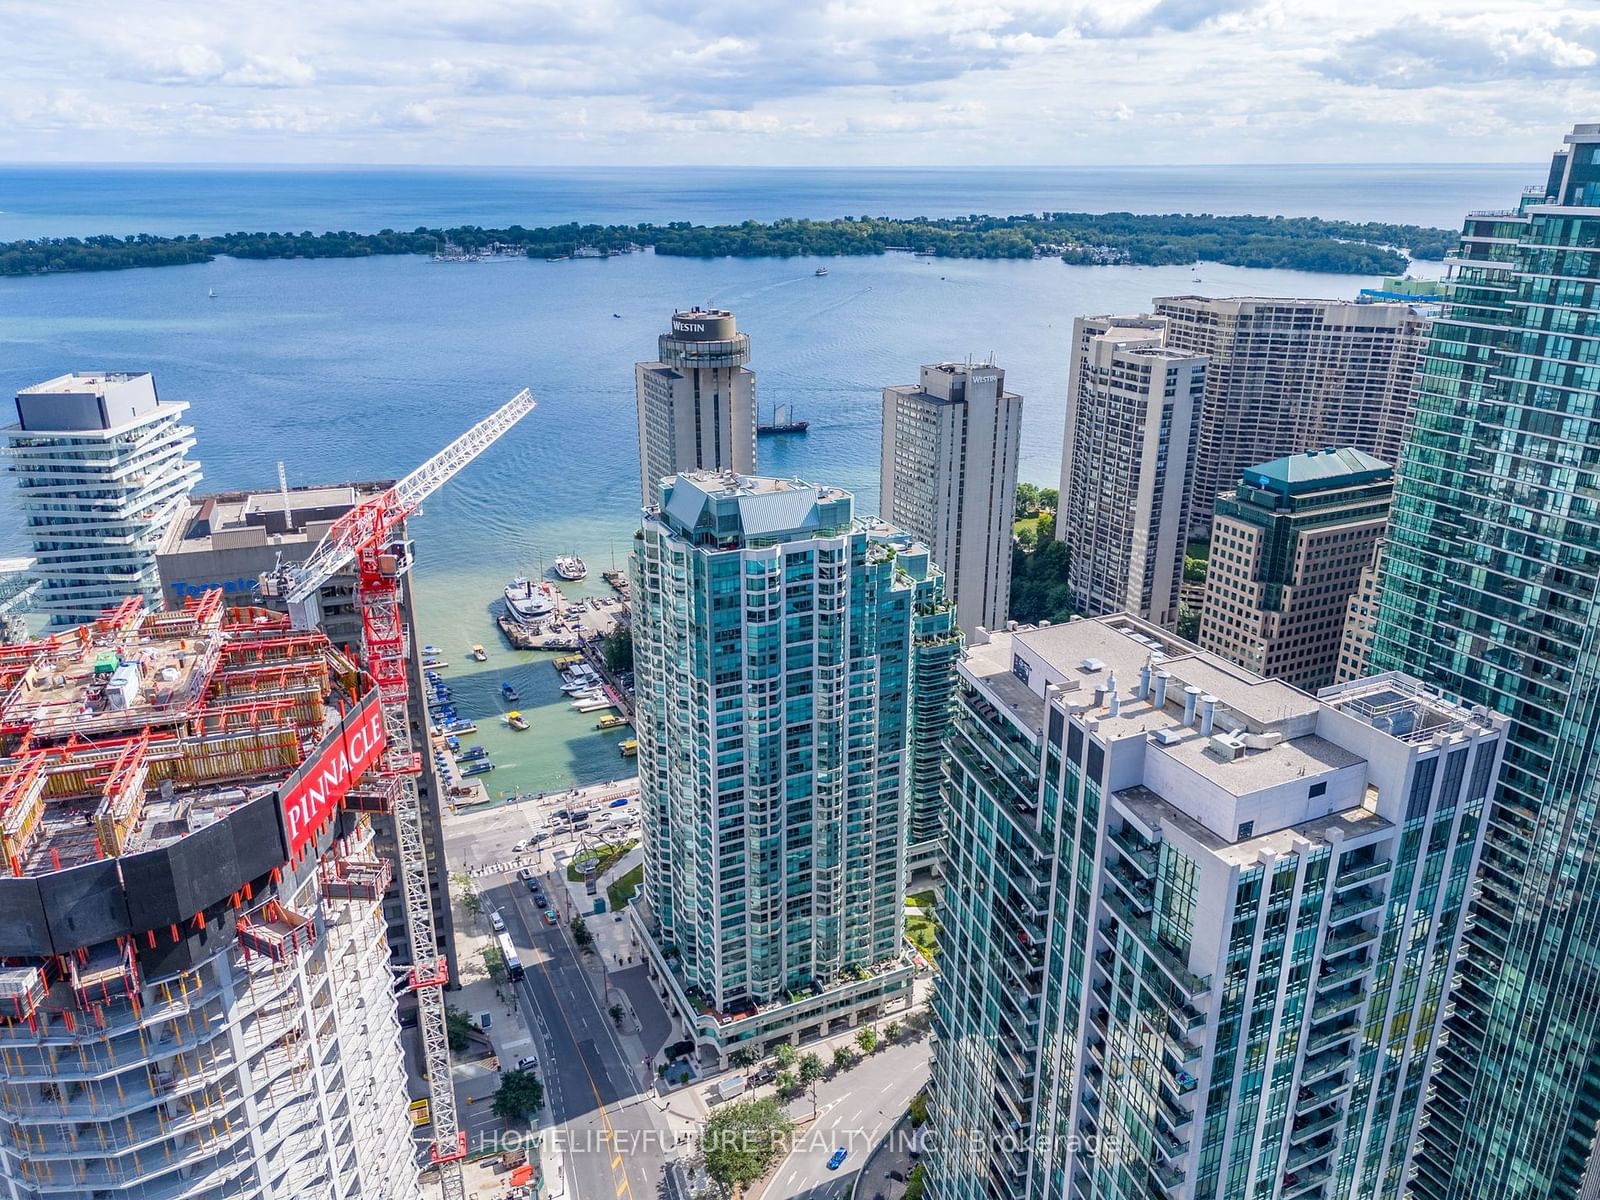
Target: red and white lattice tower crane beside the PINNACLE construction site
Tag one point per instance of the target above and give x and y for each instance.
(370, 538)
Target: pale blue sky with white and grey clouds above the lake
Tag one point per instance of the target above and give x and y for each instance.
(794, 82)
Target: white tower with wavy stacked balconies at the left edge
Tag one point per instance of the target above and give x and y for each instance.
(102, 471)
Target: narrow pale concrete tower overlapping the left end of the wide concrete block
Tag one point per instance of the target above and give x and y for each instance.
(1134, 415)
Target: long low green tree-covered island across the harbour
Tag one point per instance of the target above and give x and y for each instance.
(1303, 244)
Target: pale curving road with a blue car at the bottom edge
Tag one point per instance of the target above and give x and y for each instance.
(855, 1111)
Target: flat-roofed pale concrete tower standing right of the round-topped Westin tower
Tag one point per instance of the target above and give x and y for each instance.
(950, 479)
